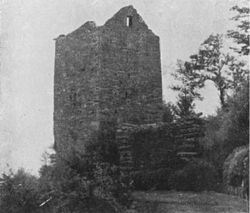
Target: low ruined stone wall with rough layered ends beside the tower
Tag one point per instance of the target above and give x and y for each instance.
(183, 135)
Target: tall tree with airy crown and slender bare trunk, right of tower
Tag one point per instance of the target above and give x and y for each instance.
(213, 64)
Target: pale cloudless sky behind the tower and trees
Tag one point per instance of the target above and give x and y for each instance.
(27, 30)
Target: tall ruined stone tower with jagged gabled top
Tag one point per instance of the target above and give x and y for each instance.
(111, 72)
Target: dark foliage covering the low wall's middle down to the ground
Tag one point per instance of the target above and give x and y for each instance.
(155, 157)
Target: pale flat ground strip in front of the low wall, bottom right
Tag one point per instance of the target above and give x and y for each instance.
(187, 202)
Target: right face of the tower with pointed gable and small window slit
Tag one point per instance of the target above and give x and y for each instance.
(131, 87)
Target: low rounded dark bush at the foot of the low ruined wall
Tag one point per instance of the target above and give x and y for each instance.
(197, 175)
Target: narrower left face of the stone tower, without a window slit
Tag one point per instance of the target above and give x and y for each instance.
(75, 83)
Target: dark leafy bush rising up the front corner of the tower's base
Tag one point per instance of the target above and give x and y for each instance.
(85, 180)
